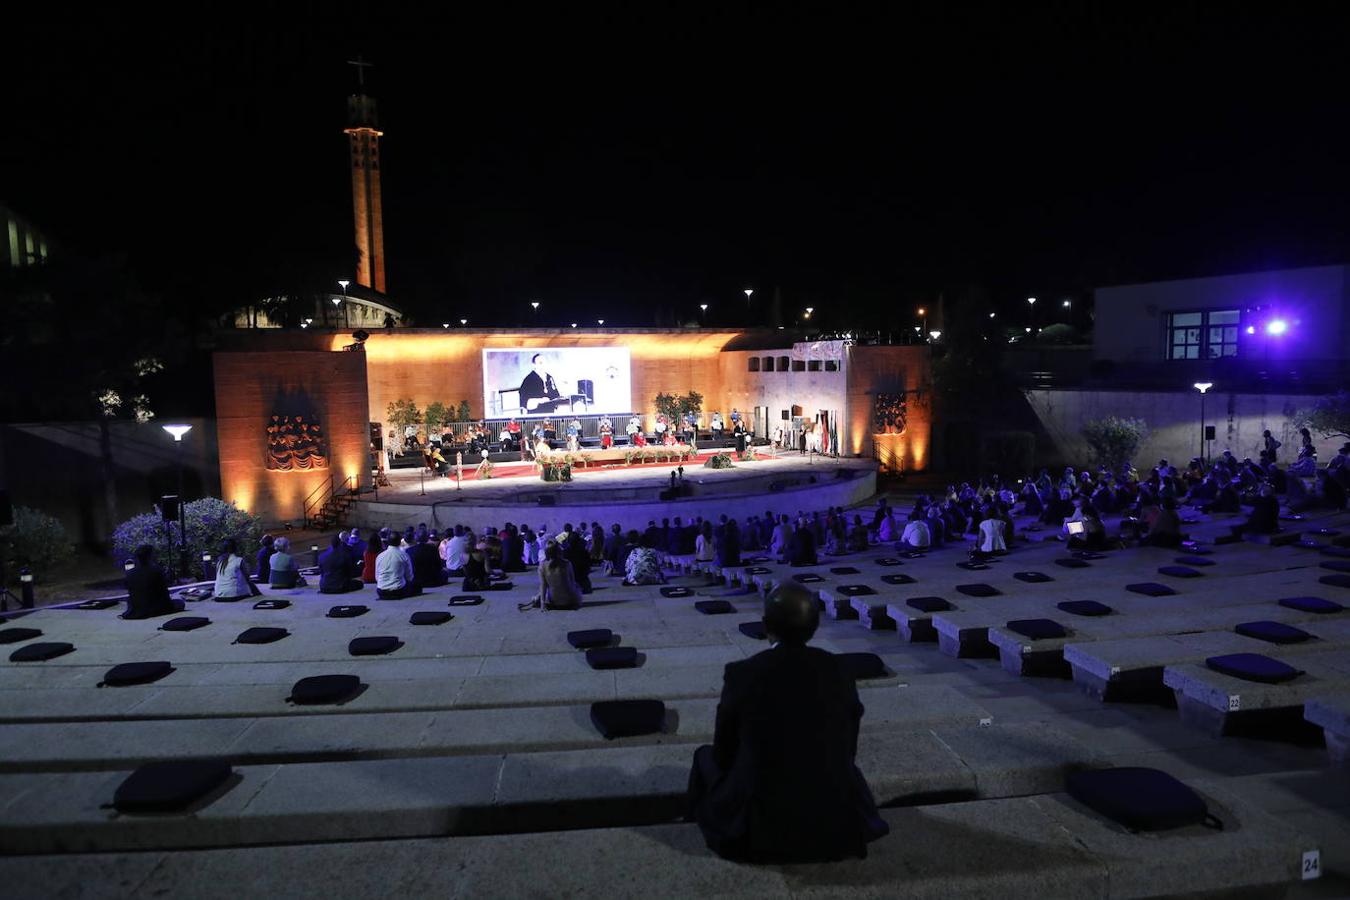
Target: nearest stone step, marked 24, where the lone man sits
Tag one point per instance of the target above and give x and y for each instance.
(1044, 847)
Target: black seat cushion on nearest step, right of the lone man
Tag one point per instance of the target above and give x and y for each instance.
(1137, 798)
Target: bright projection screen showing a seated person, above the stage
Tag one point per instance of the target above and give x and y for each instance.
(565, 381)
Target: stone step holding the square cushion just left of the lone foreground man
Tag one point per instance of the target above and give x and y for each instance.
(340, 733)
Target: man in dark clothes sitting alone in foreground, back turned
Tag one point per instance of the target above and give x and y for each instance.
(784, 712)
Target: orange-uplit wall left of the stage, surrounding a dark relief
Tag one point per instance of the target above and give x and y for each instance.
(252, 388)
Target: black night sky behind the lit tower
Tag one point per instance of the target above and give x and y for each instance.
(618, 163)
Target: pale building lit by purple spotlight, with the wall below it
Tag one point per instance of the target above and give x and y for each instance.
(1266, 345)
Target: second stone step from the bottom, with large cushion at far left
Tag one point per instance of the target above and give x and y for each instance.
(512, 794)
